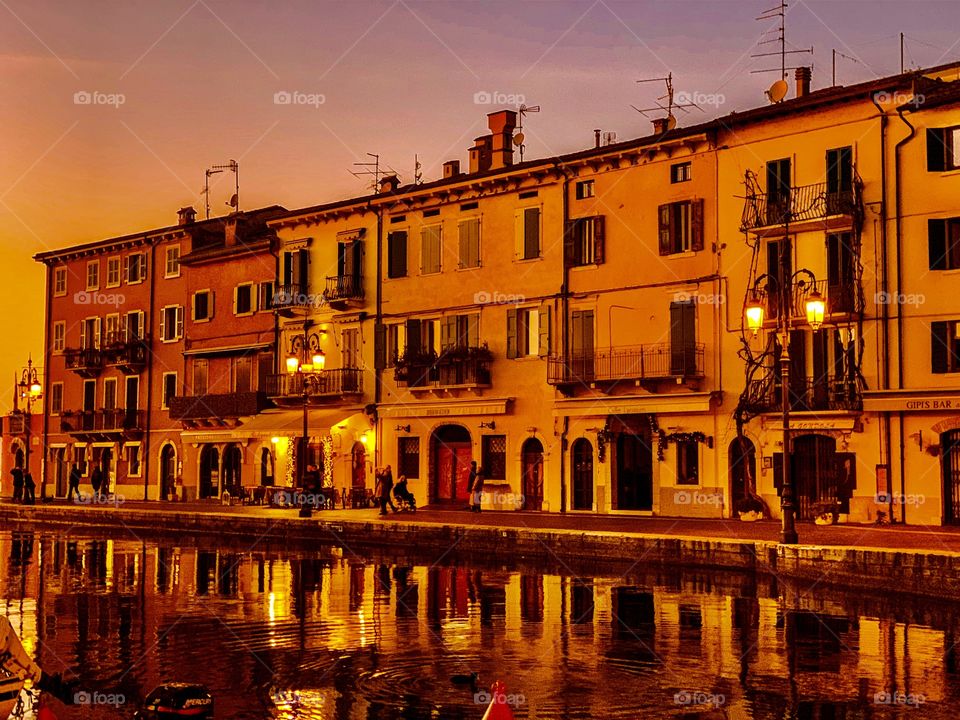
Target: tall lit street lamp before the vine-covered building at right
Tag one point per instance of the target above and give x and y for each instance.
(814, 308)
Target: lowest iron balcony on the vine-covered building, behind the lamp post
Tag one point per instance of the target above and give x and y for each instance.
(808, 394)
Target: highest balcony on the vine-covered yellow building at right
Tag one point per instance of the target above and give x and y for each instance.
(807, 207)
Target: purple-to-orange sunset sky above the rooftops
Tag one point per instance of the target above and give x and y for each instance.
(110, 112)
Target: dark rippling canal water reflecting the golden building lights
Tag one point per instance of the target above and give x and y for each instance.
(336, 634)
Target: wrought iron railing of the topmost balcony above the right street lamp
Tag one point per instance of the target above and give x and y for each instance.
(799, 204)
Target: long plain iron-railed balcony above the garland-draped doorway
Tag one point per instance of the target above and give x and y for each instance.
(628, 363)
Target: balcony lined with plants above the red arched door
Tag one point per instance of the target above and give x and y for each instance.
(459, 368)
